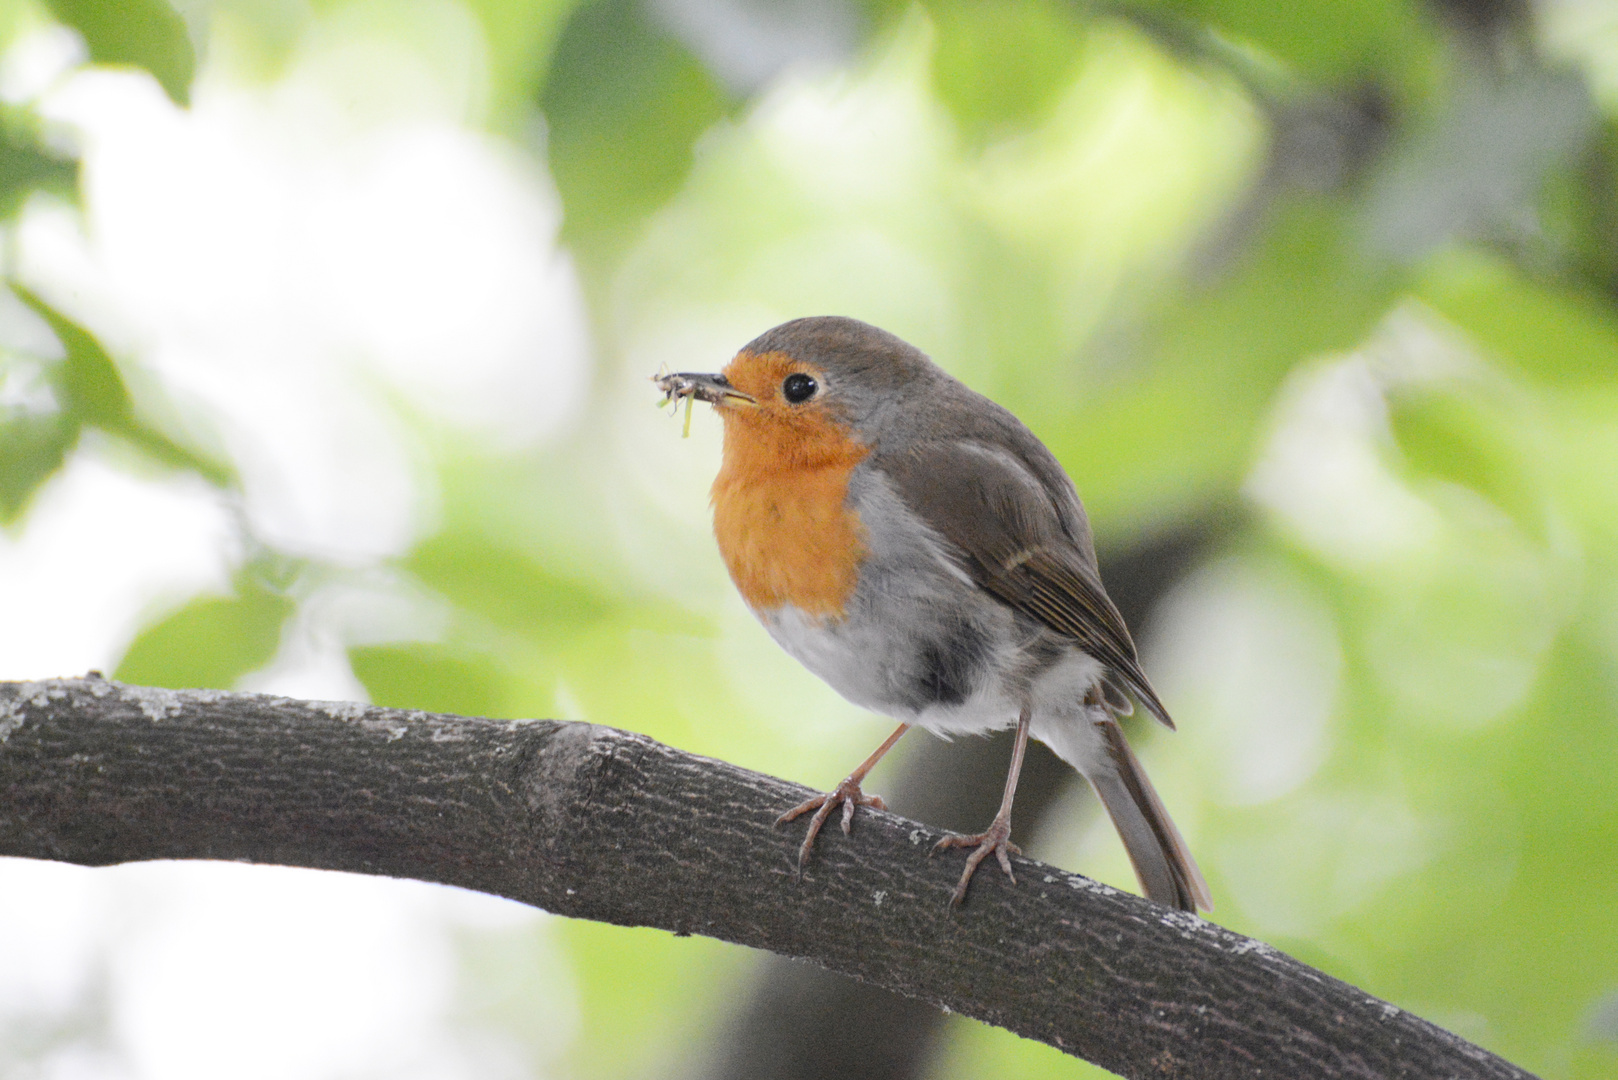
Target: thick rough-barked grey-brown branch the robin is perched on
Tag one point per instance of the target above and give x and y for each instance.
(604, 825)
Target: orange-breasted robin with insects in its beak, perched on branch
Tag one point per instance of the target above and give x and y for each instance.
(913, 545)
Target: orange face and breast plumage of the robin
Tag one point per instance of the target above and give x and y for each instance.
(781, 511)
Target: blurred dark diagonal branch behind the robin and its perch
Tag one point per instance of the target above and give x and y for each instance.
(803, 1023)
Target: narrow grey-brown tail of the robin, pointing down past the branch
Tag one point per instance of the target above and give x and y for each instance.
(1161, 859)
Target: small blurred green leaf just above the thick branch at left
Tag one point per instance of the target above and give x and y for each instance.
(210, 644)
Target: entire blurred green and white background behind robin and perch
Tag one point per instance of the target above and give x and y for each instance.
(324, 362)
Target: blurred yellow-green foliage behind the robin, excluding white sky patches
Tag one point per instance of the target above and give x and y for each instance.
(1344, 276)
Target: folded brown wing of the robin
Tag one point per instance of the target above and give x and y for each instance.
(1023, 543)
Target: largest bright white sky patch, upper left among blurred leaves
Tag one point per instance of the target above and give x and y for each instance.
(300, 274)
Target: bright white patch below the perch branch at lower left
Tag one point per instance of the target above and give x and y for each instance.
(226, 971)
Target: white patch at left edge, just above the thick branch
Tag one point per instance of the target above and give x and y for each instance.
(101, 553)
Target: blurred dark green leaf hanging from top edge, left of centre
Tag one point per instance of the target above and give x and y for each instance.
(625, 104)
